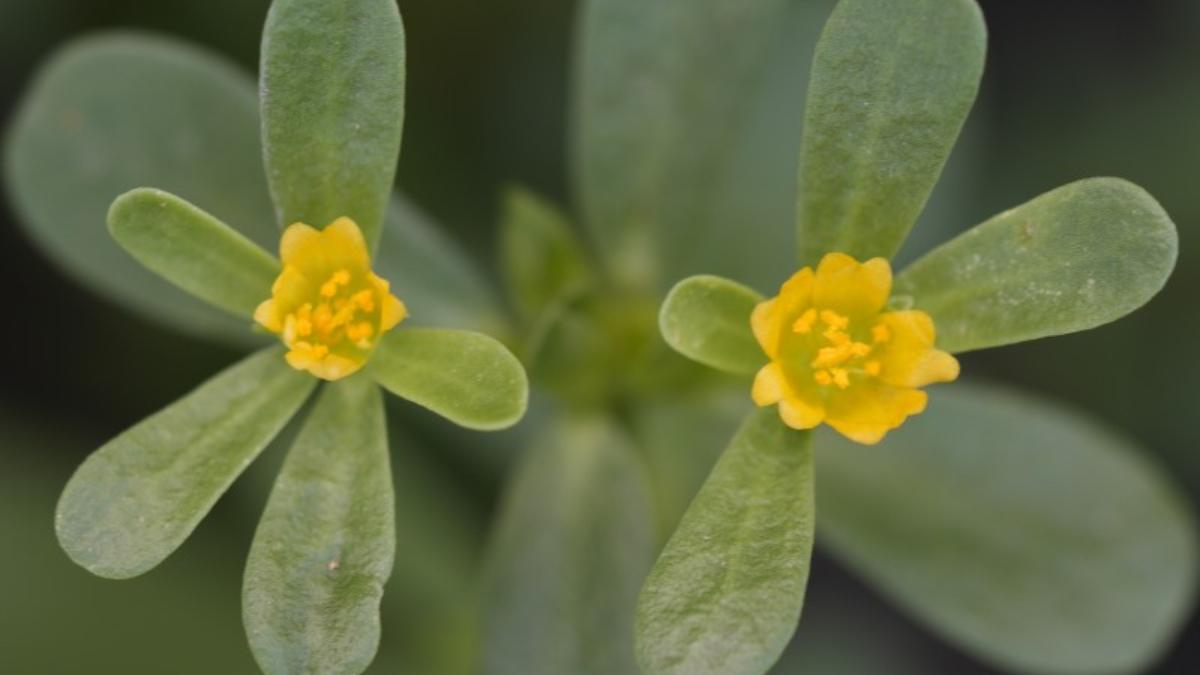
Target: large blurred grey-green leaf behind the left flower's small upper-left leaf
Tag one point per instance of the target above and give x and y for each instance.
(121, 111)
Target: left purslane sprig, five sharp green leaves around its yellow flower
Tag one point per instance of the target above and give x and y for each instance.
(333, 109)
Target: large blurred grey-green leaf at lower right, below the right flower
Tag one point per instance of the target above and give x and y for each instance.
(1027, 534)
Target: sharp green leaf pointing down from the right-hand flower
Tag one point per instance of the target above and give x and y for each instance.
(727, 594)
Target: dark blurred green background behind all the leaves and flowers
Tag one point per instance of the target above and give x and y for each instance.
(1073, 88)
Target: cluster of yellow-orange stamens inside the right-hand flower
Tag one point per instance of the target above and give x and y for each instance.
(838, 354)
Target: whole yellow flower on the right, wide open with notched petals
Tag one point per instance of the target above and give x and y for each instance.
(838, 357)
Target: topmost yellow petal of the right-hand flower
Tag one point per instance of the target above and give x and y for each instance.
(850, 288)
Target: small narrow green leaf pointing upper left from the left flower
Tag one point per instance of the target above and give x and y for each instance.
(194, 250)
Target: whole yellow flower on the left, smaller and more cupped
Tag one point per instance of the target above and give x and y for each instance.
(327, 306)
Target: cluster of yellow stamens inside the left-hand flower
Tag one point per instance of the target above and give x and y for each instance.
(341, 314)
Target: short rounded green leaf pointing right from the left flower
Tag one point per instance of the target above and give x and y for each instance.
(466, 378)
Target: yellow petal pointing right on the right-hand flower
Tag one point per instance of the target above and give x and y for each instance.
(910, 359)
